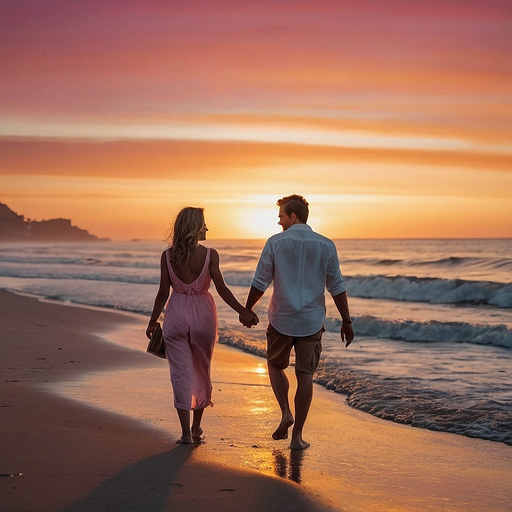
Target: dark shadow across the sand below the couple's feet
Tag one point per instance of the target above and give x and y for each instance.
(174, 481)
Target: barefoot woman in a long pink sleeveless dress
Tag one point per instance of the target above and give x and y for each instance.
(190, 321)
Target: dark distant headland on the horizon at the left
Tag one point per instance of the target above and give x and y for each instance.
(14, 228)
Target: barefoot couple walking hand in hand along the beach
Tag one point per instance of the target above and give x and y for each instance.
(300, 263)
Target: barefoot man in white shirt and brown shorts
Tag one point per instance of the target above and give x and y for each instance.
(302, 264)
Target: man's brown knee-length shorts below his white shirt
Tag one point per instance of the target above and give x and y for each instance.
(307, 350)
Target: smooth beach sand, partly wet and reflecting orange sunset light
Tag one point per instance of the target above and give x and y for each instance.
(88, 425)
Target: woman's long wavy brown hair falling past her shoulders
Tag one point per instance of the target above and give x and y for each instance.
(183, 238)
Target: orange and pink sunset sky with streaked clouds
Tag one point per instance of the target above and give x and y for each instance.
(393, 118)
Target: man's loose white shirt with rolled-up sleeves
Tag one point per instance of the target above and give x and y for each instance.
(302, 264)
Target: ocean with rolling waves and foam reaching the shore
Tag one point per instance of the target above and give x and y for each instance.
(432, 318)
